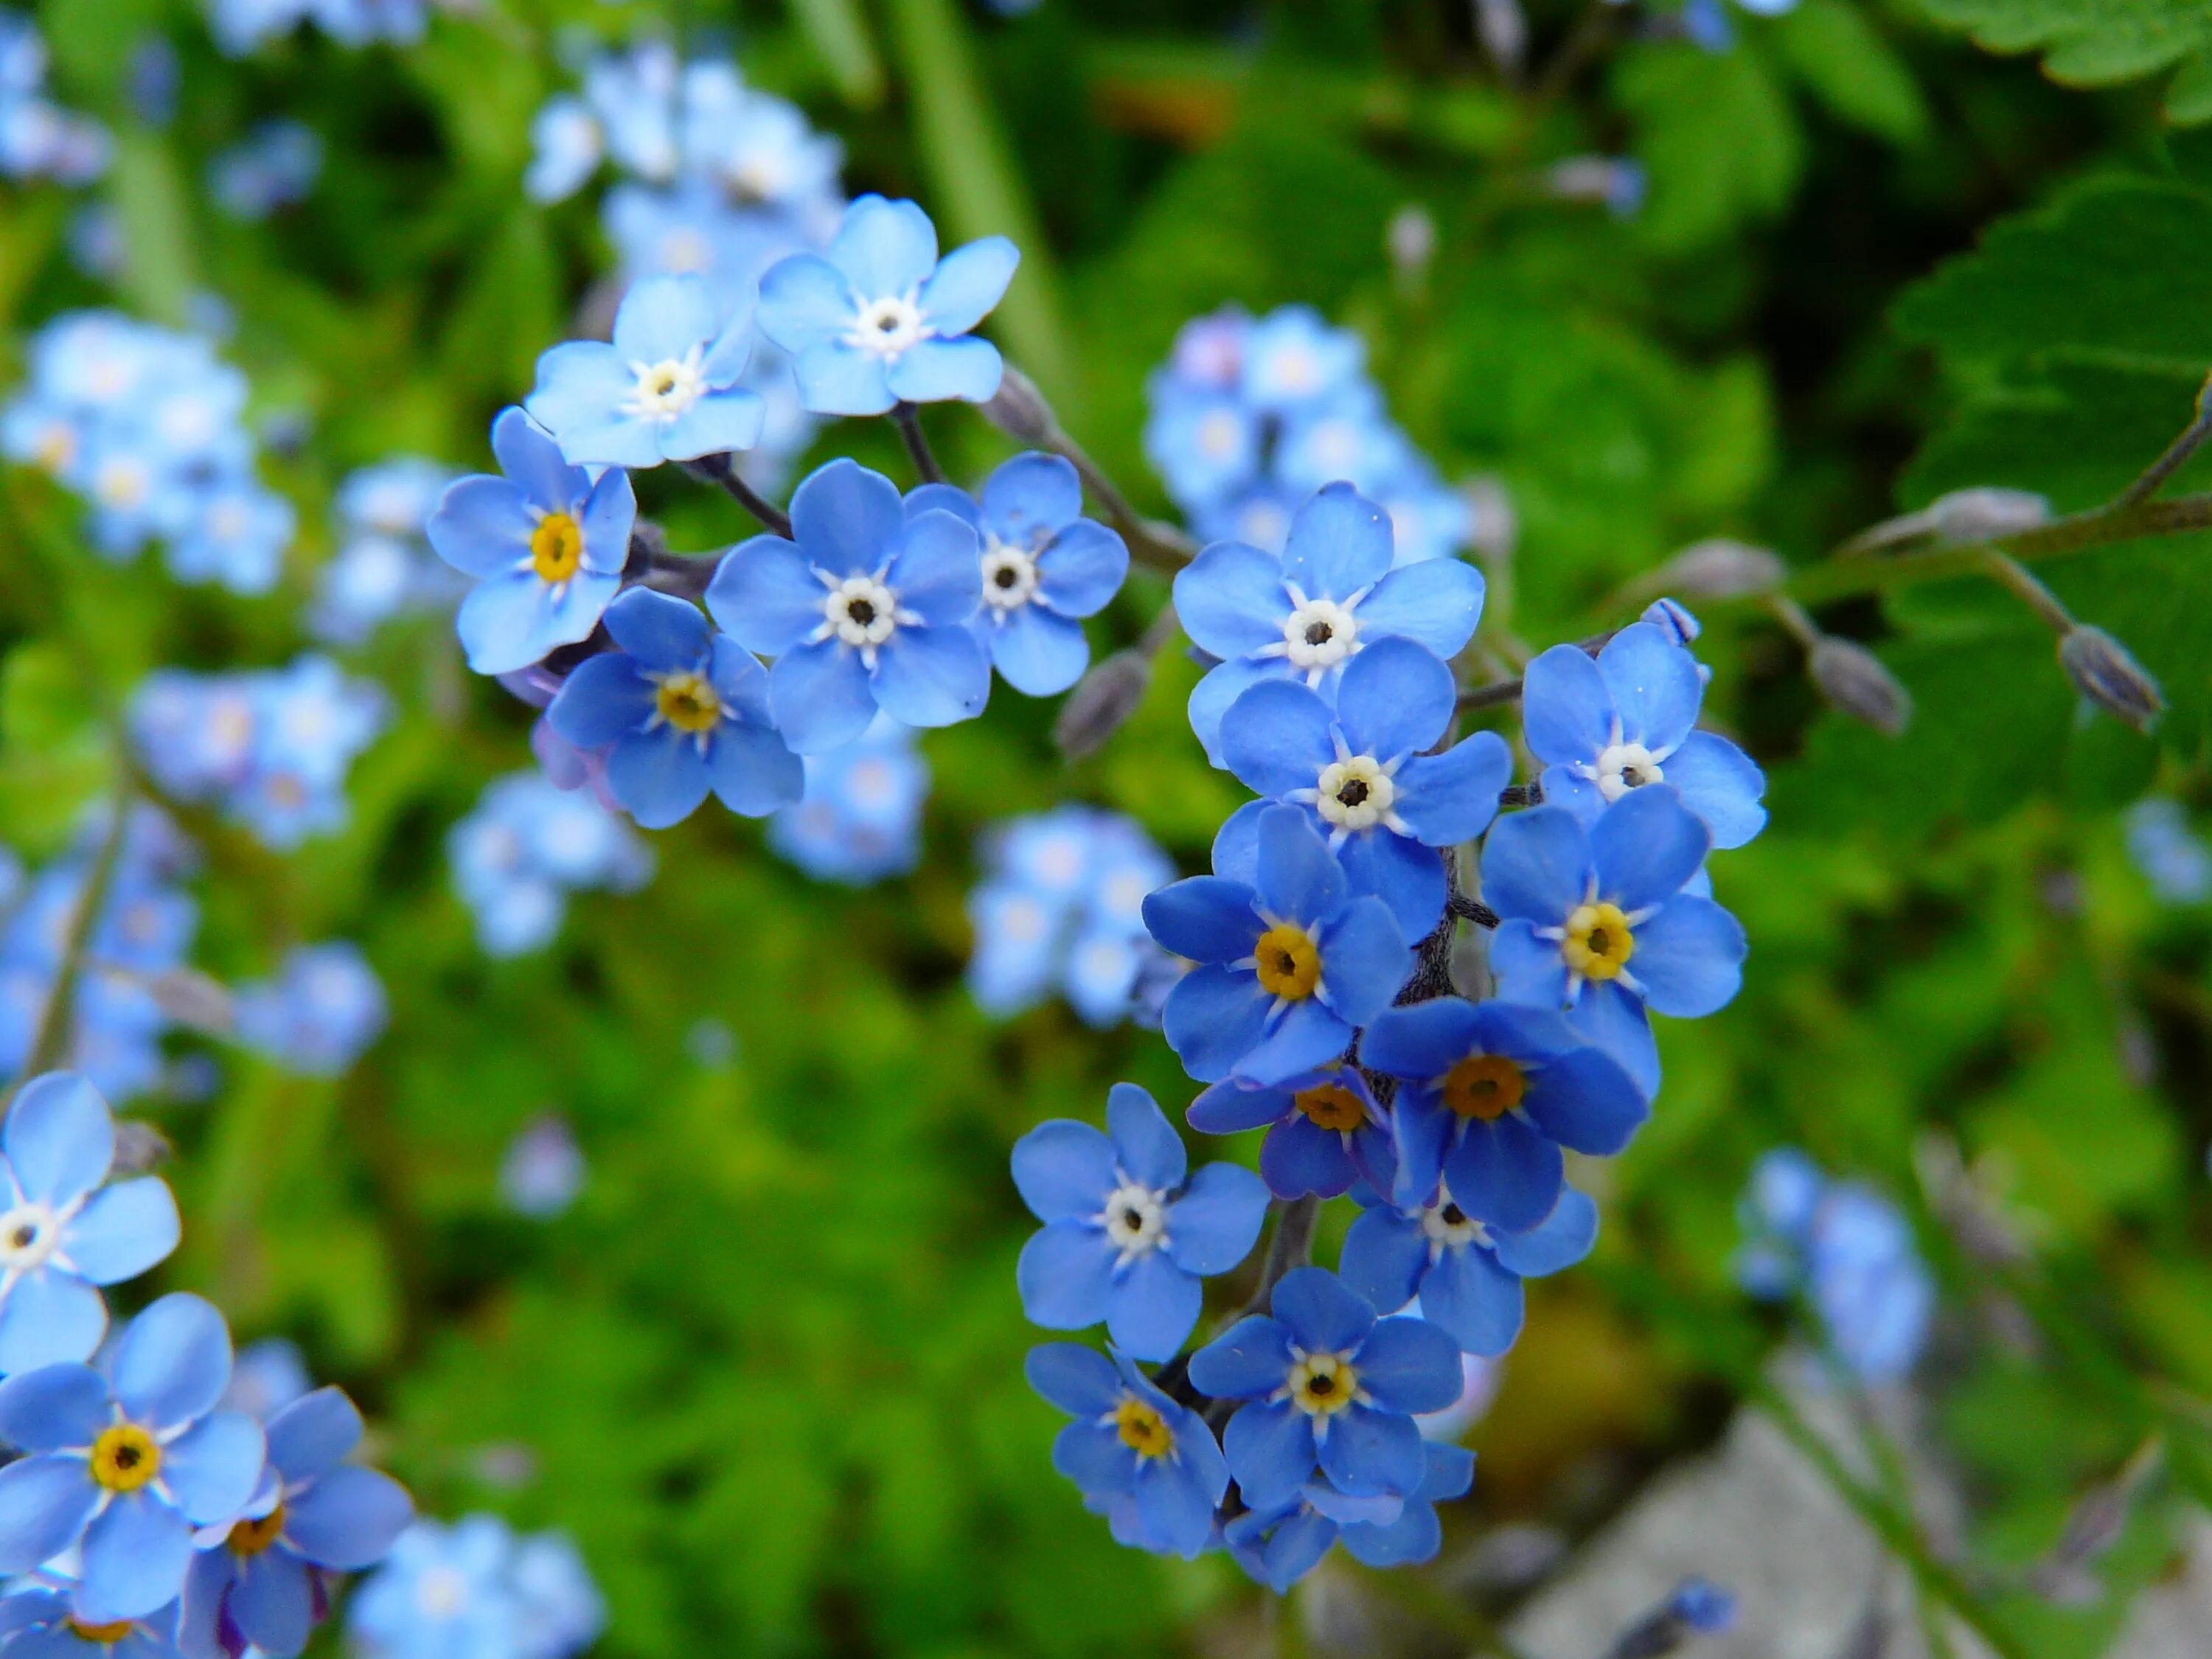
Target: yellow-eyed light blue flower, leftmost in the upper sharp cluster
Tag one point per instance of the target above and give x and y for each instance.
(547, 545)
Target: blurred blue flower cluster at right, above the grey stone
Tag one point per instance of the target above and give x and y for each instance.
(1850, 1253)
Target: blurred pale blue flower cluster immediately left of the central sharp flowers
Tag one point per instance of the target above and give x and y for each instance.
(1063, 908)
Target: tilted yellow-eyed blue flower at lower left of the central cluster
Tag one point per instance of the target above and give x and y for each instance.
(1151, 1463)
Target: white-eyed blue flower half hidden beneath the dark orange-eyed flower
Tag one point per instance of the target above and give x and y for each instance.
(1468, 1275)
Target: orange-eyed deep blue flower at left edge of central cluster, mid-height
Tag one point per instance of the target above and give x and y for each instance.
(1291, 961)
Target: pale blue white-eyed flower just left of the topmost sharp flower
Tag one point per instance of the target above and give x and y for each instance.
(667, 388)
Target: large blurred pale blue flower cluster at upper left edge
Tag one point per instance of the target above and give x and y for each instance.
(149, 428)
